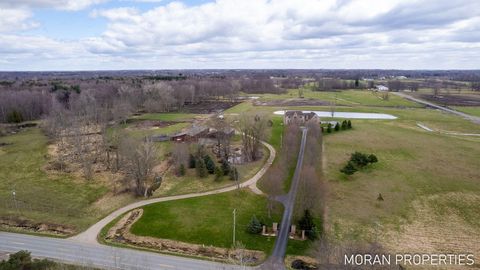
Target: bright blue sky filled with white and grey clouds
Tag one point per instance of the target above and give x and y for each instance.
(38, 35)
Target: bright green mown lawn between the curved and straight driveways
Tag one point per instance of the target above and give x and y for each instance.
(208, 220)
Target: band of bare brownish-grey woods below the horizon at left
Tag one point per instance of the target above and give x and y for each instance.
(32, 99)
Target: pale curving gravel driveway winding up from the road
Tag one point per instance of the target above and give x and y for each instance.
(90, 235)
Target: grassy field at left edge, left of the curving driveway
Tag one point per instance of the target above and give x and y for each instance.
(58, 198)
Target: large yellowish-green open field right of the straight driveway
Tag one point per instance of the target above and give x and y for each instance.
(425, 179)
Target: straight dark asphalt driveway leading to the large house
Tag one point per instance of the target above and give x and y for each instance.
(276, 259)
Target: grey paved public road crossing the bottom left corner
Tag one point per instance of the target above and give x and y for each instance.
(101, 256)
